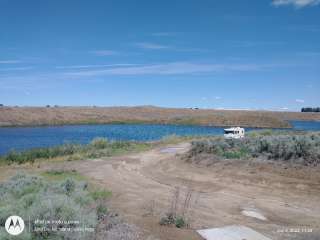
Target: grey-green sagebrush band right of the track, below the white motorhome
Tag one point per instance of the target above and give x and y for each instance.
(285, 146)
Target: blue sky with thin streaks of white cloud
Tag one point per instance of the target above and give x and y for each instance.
(173, 53)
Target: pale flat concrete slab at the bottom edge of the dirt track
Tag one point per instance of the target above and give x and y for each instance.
(233, 232)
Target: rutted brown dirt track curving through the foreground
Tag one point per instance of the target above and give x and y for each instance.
(143, 186)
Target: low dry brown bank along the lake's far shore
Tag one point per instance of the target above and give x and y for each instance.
(36, 116)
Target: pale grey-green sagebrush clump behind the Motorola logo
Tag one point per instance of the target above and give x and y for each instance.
(34, 197)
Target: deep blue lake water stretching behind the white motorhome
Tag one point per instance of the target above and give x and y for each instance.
(22, 138)
